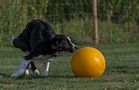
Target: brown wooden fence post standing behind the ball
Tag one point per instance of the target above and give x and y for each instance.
(95, 36)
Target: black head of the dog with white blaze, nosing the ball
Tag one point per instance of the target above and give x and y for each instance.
(63, 43)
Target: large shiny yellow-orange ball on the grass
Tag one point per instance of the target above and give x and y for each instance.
(88, 62)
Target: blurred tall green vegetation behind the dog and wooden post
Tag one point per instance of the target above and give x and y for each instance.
(118, 20)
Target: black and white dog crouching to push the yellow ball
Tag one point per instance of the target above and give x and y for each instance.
(39, 39)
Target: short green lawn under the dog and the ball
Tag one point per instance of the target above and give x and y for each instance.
(122, 71)
